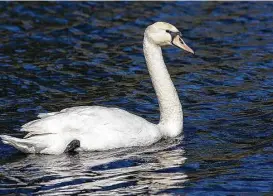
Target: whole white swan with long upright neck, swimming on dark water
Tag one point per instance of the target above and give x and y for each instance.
(92, 128)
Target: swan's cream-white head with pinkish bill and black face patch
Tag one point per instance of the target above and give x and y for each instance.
(164, 34)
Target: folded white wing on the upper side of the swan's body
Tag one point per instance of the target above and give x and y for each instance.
(86, 119)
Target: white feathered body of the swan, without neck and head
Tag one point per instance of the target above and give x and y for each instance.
(97, 128)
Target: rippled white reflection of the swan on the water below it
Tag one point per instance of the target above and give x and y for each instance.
(129, 171)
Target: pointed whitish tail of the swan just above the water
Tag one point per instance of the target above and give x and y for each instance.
(23, 145)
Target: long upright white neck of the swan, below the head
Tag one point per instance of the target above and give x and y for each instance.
(171, 116)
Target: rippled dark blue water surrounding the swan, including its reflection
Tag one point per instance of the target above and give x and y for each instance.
(55, 55)
